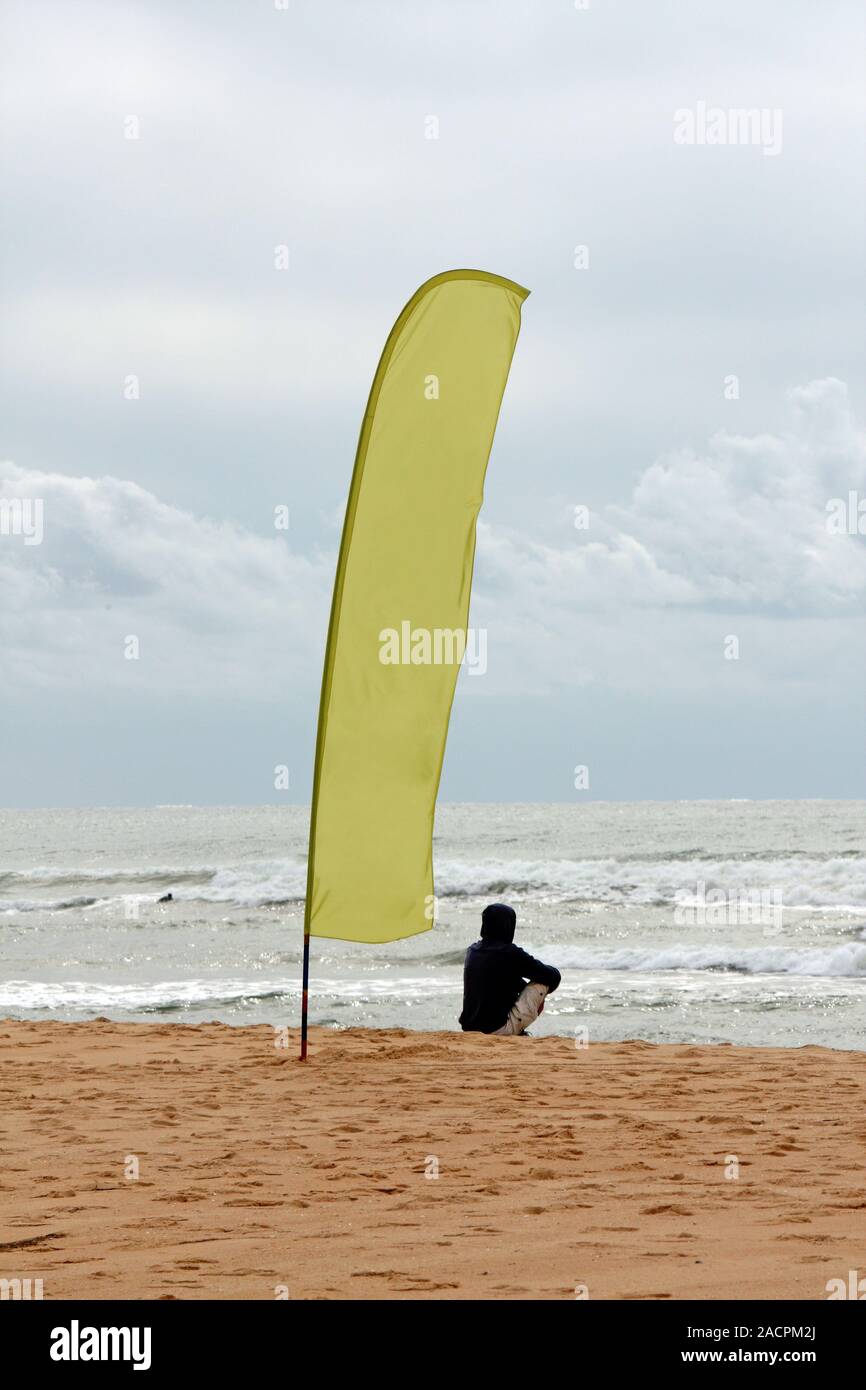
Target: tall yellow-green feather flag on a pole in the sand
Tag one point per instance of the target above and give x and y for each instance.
(401, 607)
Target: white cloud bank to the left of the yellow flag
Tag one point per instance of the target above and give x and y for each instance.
(216, 608)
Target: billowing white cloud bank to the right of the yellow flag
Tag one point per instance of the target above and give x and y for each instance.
(733, 540)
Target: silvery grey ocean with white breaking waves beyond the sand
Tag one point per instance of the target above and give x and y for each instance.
(673, 922)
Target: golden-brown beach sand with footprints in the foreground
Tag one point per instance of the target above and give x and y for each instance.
(558, 1167)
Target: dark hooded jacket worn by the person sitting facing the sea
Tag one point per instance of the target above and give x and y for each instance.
(497, 971)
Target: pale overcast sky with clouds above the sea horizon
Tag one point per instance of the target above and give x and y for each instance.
(308, 127)
